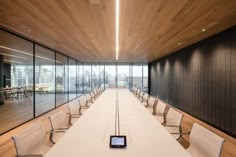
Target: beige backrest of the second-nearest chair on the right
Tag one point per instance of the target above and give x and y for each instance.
(173, 117)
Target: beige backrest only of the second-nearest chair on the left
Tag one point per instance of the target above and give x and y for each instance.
(58, 120)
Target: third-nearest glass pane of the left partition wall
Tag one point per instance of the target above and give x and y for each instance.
(61, 79)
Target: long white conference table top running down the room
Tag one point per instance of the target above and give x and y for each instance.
(90, 135)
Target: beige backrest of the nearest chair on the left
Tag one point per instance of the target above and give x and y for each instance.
(29, 139)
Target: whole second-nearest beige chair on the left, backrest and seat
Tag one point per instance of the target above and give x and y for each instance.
(59, 126)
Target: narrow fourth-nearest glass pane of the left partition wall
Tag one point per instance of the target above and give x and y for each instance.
(72, 79)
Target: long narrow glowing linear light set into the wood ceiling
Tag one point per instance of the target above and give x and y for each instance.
(117, 28)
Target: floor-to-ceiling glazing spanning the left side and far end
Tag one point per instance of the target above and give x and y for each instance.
(35, 79)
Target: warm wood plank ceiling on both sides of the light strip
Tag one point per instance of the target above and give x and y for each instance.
(85, 29)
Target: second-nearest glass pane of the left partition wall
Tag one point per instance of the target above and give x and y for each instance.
(44, 80)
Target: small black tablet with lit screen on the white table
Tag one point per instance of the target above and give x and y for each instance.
(117, 141)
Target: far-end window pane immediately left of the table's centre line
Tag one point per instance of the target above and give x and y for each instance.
(110, 73)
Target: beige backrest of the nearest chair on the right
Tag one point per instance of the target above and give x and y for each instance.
(204, 142)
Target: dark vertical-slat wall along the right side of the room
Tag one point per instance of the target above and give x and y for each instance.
(201, 80)
